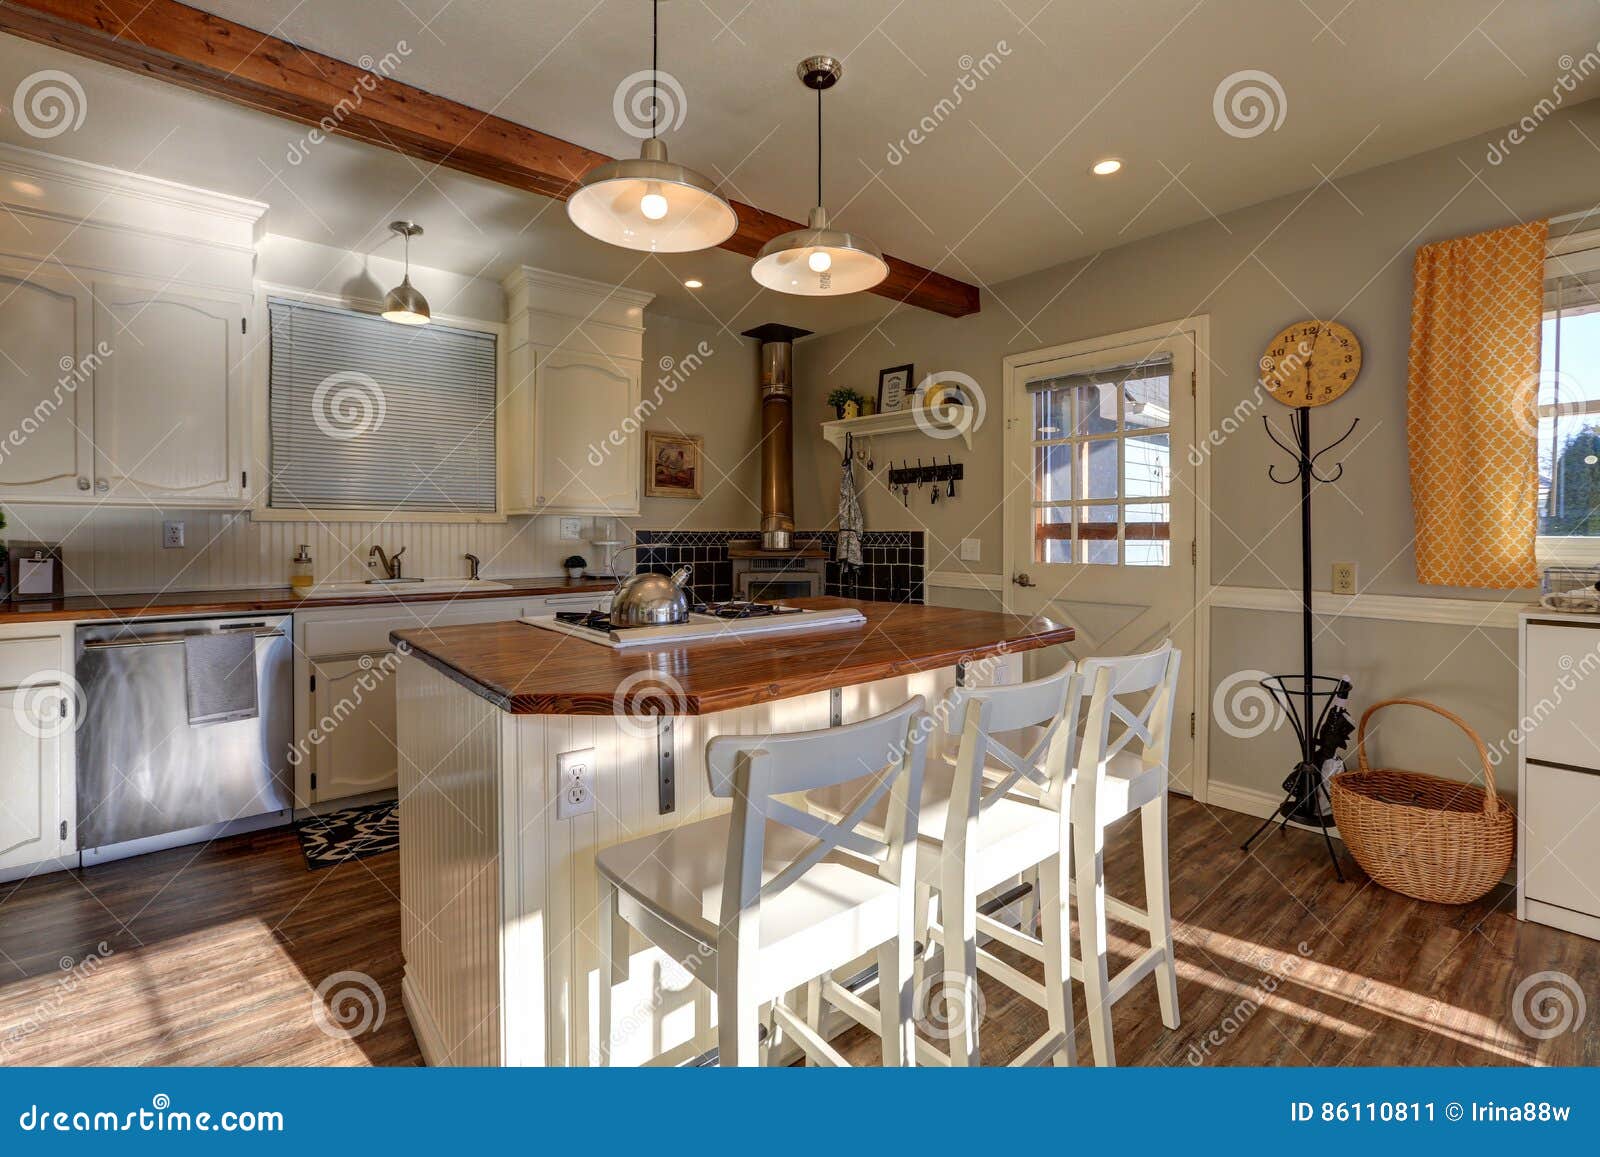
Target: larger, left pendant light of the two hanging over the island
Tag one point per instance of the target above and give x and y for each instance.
(652, 204)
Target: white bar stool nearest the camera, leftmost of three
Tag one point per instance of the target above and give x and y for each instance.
(770, 897)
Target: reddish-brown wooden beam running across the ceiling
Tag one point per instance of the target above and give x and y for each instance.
(206, 54)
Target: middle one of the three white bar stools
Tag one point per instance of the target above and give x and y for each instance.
(988, 817)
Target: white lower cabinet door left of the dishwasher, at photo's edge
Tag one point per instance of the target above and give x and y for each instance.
(33, 796)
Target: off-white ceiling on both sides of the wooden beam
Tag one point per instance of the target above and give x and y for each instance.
(999, 188)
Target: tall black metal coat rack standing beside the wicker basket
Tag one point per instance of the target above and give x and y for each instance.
(1322, 732)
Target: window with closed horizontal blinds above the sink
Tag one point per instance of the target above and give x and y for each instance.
(369, 415)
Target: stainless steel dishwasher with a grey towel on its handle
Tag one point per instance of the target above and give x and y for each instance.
(146, 777)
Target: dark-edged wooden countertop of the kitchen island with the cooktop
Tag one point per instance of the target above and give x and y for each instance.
(530, 671)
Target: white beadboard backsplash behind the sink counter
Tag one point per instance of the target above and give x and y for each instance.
(119, 551)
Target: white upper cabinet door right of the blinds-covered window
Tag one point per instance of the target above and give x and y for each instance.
(588, 434)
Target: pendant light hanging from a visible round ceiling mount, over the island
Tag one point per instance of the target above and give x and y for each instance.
(818, 262)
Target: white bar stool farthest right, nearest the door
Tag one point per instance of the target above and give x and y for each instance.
(1118, 777)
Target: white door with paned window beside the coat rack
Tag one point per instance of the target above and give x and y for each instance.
(1100, 502)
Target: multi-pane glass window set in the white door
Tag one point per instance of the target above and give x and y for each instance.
(1103, 466)
